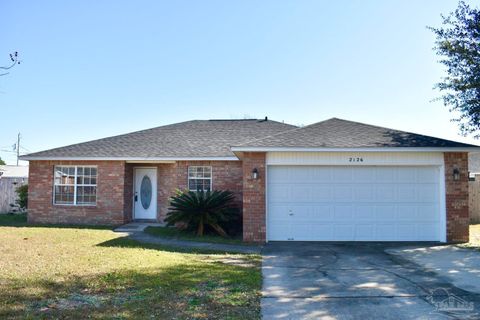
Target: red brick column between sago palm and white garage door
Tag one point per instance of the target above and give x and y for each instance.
(254, 197)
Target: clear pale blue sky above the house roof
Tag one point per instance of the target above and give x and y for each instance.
(92, 69)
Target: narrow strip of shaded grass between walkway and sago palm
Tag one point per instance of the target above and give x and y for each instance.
(174, 233)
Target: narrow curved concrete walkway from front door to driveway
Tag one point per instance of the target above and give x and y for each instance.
(136, 232)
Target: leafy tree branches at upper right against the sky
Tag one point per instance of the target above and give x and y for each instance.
(458, 42)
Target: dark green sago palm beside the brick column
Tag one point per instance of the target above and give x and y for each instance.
(199, 209)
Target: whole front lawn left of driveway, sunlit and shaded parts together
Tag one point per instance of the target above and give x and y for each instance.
(76, 273)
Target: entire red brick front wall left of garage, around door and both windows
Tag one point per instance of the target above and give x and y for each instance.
(115, 190)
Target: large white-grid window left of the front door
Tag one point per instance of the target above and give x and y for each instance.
(75, 185)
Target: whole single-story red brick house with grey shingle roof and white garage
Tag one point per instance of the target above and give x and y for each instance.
(333, 180)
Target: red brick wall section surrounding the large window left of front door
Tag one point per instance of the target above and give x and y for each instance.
(109, 209)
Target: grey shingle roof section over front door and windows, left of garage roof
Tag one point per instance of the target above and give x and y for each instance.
(197, 138)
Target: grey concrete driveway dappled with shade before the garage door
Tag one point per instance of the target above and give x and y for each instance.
(305, 280)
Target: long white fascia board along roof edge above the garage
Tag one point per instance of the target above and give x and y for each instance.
(386, 149)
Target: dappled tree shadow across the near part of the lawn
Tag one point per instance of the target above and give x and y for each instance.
(183, 290)
